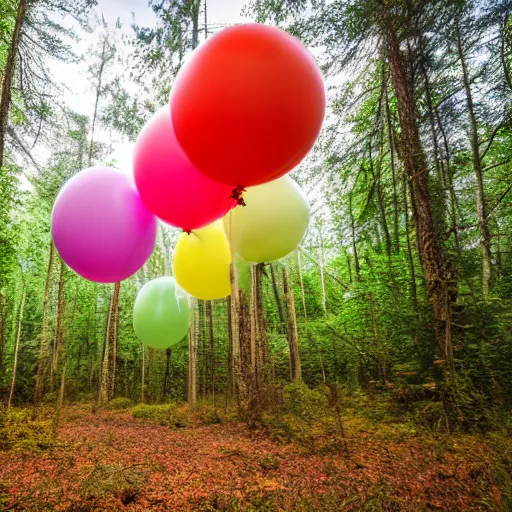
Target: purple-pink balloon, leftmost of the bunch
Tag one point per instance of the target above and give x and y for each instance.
(100, 226)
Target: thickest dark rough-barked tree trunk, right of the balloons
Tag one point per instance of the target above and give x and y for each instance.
(441, 283)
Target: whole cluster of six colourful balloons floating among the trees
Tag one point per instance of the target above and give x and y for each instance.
(245, 109)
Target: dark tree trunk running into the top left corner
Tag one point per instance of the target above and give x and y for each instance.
(8, 76)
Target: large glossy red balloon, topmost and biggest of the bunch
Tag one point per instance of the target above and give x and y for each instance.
(248, 105)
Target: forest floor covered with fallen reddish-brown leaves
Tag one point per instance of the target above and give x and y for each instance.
(110, 460)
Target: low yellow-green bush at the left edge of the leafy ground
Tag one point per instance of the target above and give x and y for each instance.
(19, 431)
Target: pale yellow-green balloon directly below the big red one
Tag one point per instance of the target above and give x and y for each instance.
(273, 222)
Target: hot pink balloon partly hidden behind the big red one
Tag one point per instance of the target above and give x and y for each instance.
(169, 185)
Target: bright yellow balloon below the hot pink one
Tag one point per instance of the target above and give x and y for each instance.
(202, 261)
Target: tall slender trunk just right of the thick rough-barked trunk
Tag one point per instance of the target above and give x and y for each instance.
(481, 207)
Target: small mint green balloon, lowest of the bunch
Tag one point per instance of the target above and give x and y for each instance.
(161, 315)
